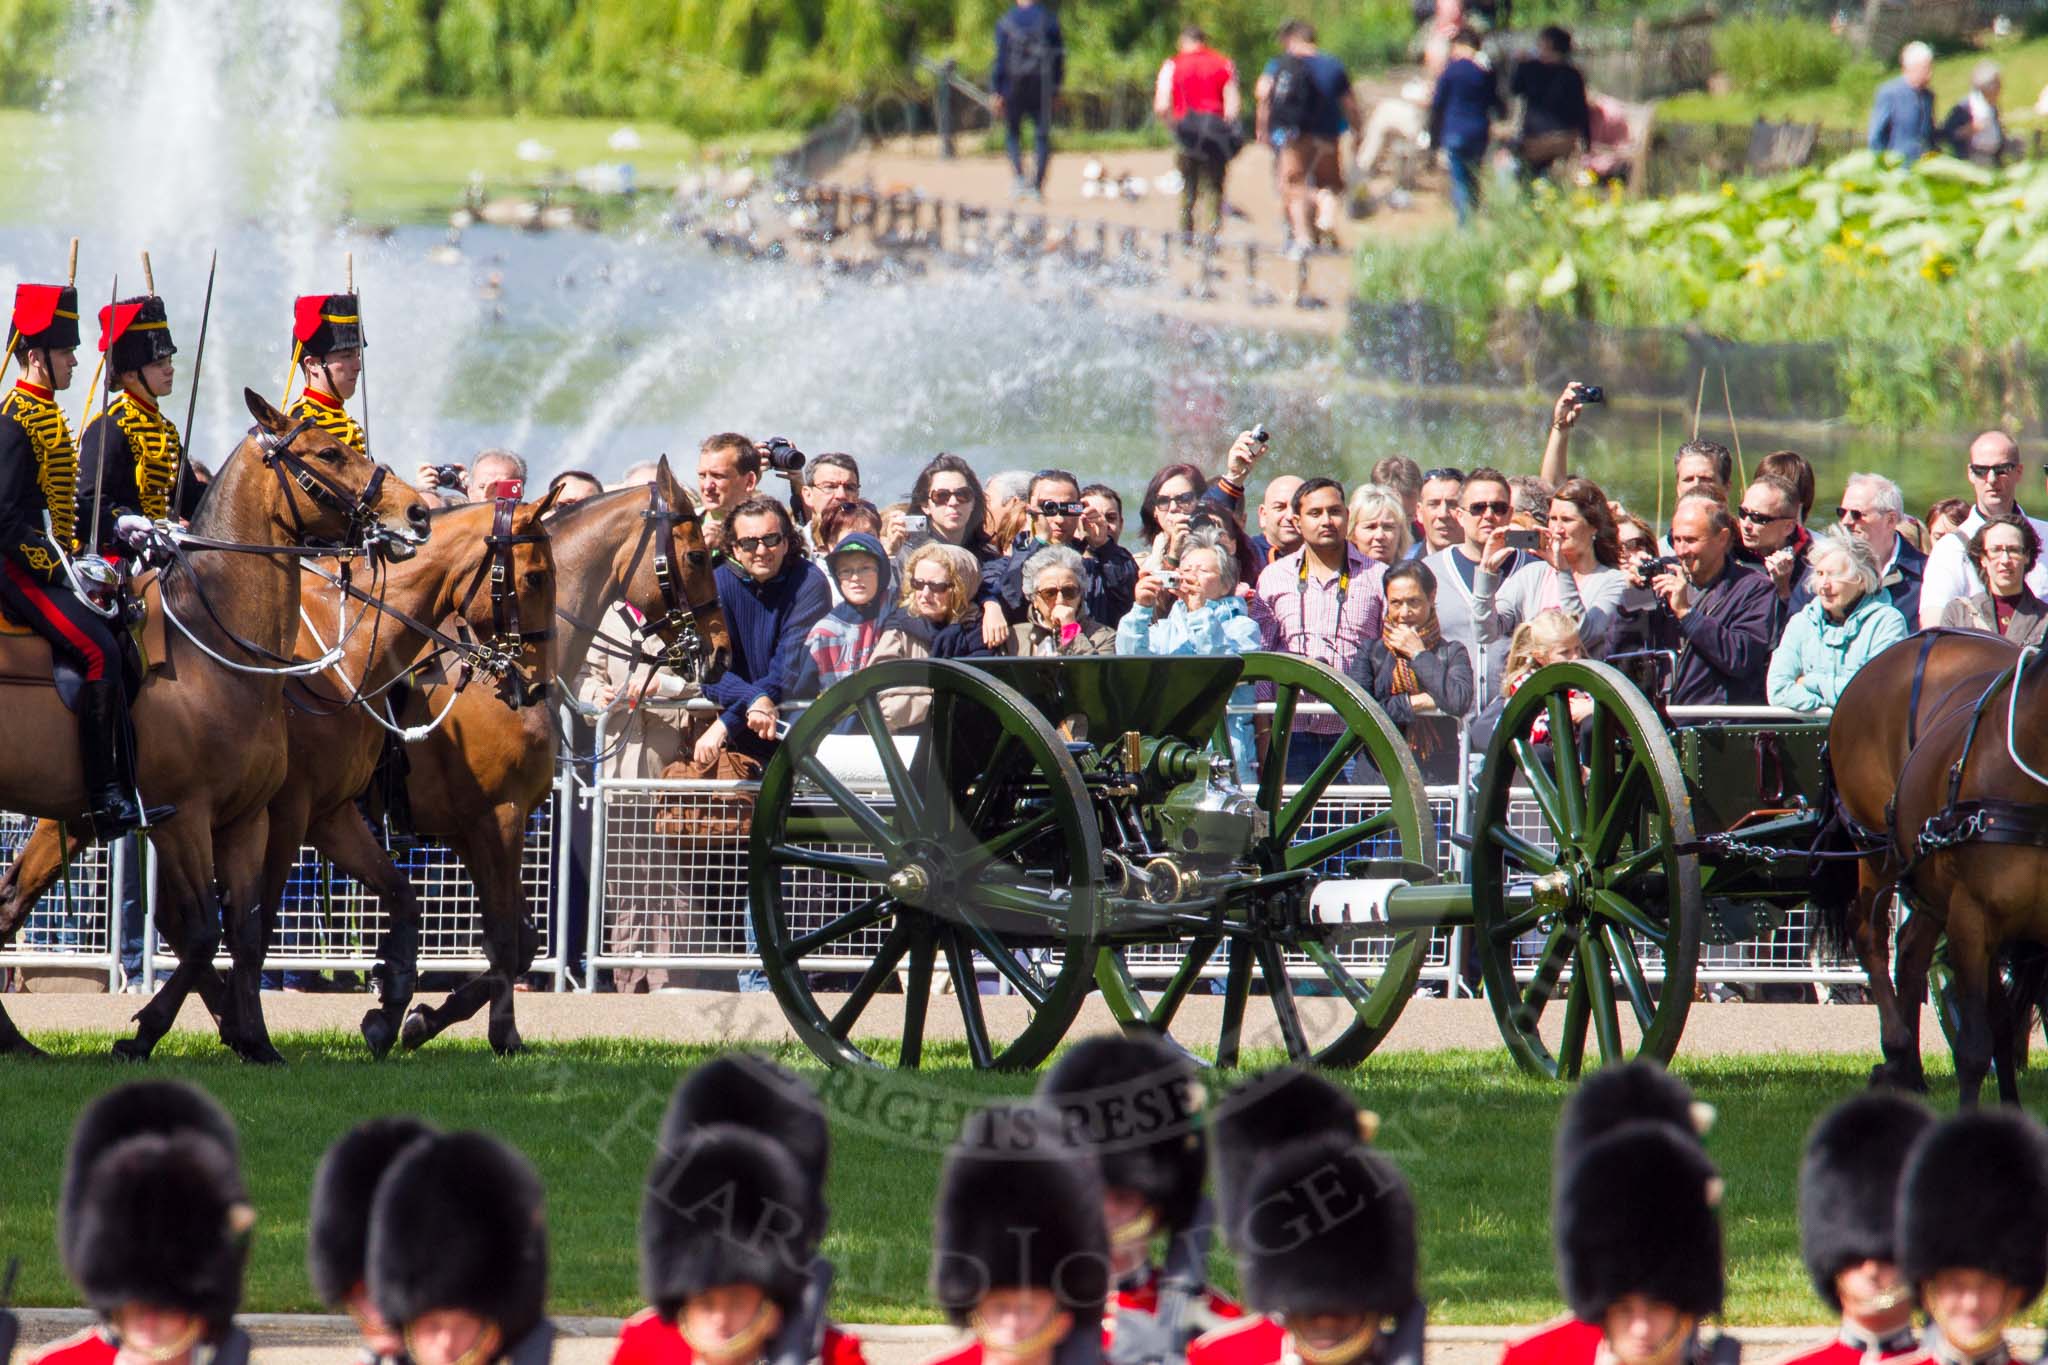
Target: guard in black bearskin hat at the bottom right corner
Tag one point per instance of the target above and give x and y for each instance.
(1971, 1215)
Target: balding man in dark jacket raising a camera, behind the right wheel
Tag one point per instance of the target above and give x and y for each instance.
(1715, 613)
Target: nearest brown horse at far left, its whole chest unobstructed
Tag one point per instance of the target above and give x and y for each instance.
(212, 728)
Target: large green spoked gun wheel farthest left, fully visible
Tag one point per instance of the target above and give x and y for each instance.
(953, 854)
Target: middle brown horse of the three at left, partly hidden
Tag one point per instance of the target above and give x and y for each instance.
(333, 738)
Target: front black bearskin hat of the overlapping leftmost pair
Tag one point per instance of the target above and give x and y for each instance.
(161, 1221)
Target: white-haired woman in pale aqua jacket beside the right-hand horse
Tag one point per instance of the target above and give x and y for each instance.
(1846, 625)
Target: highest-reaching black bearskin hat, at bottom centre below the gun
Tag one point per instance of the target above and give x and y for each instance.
(1138, 1102)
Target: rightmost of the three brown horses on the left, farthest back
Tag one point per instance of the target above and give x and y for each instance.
(480, 777)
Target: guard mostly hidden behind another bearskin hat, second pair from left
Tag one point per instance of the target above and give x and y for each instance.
(339, 1225)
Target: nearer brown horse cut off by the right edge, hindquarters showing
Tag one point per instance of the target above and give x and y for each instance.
(1969, 830)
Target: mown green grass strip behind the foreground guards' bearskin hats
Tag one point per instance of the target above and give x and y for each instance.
(1471, 1135)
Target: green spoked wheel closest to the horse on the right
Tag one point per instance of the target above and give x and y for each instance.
(1590, 875)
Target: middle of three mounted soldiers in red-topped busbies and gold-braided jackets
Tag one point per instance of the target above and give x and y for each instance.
(132, 453)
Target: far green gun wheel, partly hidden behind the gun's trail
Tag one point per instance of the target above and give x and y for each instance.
(1332, 992)
